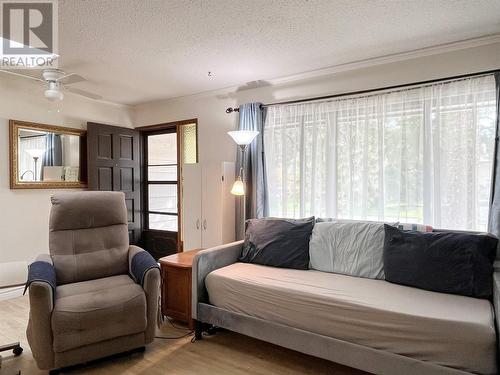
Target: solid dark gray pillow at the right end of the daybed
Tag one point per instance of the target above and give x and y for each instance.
(447, 262)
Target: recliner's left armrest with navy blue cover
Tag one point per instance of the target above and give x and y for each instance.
(41, 283)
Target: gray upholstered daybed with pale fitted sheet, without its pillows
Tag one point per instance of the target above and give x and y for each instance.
(405, 331)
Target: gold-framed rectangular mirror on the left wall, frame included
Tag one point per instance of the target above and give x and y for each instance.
(46, 156)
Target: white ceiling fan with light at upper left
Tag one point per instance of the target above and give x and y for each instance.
(57, 80)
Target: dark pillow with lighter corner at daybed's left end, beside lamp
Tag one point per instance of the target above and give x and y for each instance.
(278, 242)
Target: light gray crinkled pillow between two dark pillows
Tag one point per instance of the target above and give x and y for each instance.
(353, 248)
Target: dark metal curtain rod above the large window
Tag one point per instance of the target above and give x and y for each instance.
(395, 87)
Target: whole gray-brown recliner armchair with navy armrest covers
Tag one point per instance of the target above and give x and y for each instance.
(94, 295)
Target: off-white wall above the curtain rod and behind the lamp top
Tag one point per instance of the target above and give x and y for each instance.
(213, 122)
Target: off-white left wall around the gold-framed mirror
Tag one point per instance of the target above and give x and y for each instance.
(24, 213)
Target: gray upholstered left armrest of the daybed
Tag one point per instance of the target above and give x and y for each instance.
(207, 261)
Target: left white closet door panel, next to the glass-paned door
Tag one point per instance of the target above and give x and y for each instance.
(192, 206)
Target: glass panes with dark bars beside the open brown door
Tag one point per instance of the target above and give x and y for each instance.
(161, 181)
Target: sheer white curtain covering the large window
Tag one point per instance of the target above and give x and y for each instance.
(420, 155)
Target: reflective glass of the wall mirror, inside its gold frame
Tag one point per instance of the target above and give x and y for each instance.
(48, 156)
